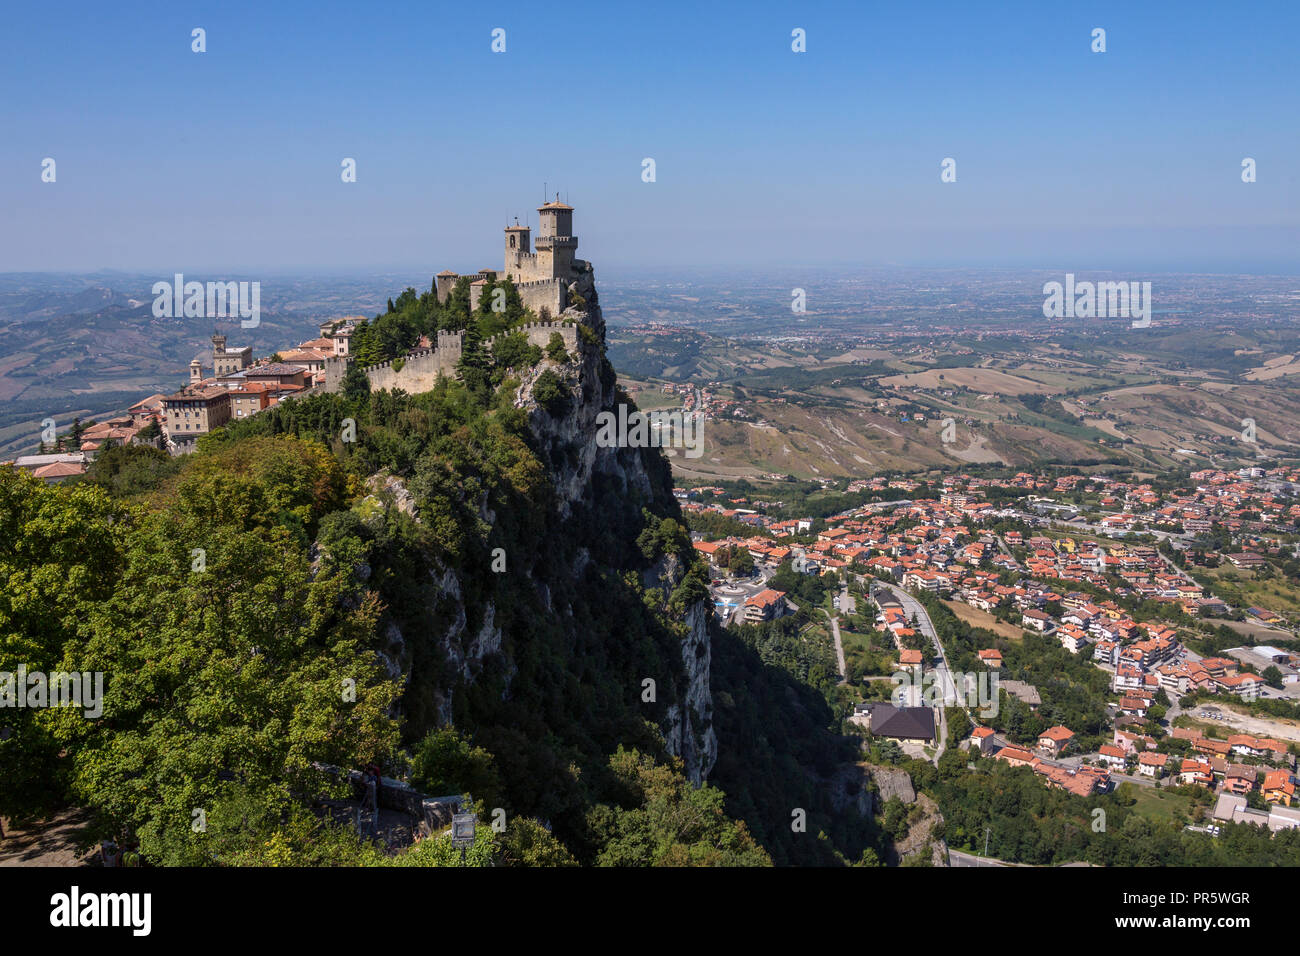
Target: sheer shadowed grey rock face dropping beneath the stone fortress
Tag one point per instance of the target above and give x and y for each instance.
(601, 500)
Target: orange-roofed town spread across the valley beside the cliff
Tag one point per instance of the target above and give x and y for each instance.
(1116, 574)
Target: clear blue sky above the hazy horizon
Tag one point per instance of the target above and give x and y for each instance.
(231, 159)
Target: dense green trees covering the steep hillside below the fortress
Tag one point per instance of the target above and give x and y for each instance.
(248, 607)
